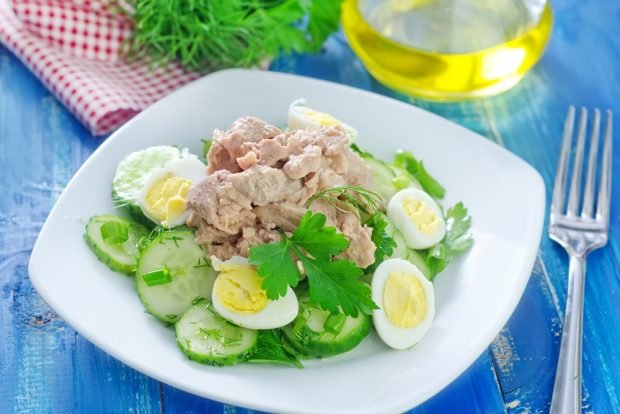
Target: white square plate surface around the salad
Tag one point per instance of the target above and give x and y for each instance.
(475, 295)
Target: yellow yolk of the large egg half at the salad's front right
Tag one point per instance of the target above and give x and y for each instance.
(404, 300)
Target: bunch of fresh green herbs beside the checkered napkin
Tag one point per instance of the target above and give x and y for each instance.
(206, 35)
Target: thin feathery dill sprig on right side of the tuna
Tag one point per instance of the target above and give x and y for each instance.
(350, 198)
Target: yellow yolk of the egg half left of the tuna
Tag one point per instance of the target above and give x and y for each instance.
(167, 197)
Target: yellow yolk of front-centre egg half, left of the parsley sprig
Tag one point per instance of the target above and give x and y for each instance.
(238, 288)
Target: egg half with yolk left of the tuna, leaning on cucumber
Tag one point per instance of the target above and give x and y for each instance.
(164, 195)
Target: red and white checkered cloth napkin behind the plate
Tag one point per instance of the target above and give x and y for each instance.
(72, 46)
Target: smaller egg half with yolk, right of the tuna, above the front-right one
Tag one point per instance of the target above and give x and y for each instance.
(418, 217)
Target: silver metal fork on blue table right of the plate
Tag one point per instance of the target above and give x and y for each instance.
(579, 233)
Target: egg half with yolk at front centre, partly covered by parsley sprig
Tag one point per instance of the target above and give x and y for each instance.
(238, 296)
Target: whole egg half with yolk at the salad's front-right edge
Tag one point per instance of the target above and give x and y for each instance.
(406, 301)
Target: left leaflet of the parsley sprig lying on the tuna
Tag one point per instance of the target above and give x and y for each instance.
(276, 266)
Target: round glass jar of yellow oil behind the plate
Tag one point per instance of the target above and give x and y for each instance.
(448, 49)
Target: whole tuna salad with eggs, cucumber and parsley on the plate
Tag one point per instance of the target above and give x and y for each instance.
(278, 245)
